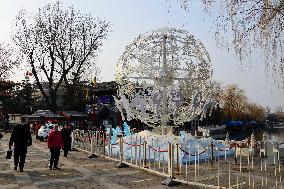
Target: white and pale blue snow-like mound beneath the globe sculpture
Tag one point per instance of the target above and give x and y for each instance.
(191, 147)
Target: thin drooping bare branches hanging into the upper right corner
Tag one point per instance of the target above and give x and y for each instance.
(253, 25)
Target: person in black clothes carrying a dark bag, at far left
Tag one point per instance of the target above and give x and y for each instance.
(21, 137)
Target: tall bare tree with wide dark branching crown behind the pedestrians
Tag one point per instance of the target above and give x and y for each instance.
(60, 44)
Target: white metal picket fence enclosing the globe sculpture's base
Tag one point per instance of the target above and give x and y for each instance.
(252, 165)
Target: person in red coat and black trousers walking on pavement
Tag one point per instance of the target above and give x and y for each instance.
(55, 143)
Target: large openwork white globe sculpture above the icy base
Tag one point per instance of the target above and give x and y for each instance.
(164, 78)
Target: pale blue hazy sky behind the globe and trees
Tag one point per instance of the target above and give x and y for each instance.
(131, 18)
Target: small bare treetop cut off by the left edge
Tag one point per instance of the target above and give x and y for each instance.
(8, 61)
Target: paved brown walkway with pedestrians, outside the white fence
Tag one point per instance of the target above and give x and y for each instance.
(77, 171)
